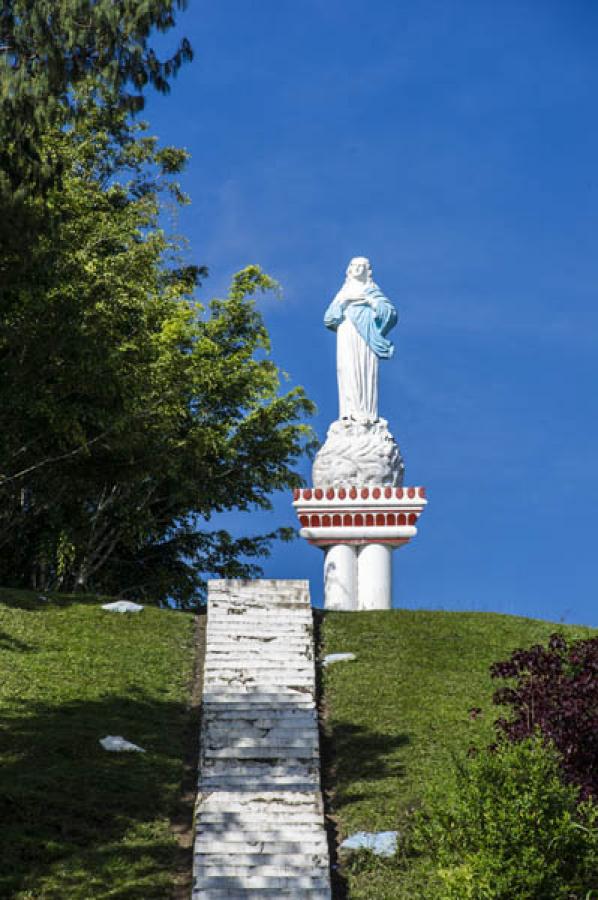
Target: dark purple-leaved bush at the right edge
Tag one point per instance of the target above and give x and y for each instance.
(556, 690)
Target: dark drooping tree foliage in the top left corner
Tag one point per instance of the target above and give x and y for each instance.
(49, 48)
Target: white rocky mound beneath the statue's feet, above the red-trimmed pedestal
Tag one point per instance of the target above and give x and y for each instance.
(358, 453)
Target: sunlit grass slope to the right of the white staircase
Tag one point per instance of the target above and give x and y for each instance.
(398, 715)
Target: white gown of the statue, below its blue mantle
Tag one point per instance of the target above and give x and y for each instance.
(357, 372)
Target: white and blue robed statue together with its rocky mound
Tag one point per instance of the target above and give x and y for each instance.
(359, 449)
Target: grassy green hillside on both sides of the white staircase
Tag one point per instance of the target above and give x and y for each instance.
(80, 823)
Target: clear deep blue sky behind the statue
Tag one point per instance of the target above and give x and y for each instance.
(456, 145)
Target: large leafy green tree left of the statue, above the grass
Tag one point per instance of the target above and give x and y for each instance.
(129, 413)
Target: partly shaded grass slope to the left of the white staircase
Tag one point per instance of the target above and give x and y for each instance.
(77, 822)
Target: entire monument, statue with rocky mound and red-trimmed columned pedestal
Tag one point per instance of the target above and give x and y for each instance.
(358, 510)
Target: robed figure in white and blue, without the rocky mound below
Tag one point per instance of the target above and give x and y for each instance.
(362, 317)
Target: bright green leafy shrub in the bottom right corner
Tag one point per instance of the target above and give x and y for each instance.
(511, 828)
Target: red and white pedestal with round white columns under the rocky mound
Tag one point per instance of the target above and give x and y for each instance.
(358, 528)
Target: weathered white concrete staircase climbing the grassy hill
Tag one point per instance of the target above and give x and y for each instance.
(259, 818)
